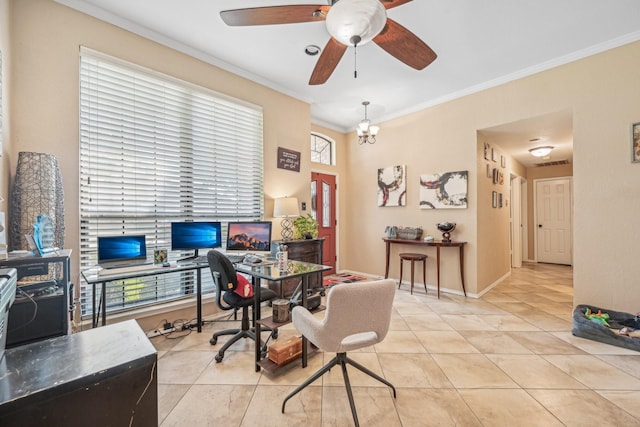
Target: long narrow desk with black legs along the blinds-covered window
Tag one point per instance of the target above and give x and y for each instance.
(93, 278)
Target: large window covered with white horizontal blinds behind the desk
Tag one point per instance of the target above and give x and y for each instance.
(154, 150)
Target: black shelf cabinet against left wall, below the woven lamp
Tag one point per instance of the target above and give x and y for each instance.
(41, 307)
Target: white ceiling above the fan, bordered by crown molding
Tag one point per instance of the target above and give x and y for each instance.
(479, 44)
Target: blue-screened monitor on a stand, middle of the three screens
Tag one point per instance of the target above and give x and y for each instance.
(187, 236)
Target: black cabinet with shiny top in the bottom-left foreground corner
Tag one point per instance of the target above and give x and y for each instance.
(99, 377)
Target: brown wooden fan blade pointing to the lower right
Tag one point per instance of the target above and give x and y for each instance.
(404, 45)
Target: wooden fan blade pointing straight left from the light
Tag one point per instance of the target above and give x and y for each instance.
(270, 15)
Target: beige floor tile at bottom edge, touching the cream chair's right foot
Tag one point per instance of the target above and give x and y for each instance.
(419, 407)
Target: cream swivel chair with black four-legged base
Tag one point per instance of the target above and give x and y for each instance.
(358, 315)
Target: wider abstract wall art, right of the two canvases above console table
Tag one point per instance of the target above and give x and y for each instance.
(446, 190)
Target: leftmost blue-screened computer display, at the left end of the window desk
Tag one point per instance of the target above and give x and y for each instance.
(121, 251)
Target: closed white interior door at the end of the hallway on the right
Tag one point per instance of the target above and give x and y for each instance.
(553, 220)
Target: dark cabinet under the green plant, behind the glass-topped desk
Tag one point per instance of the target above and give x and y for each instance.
(307, 250)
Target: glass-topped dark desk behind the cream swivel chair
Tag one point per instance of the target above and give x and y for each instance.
(304, 270)
